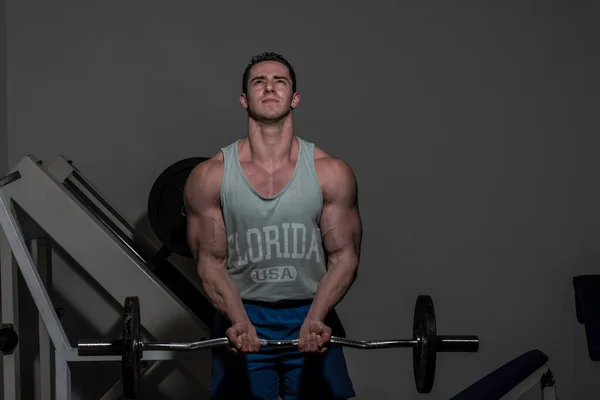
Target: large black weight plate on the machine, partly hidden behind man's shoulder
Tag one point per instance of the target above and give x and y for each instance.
(166, 211)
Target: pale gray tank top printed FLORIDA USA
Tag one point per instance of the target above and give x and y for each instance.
(275, 250)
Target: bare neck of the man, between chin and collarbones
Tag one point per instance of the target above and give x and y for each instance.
(270, 144)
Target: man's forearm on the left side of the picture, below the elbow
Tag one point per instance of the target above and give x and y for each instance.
(222, 291)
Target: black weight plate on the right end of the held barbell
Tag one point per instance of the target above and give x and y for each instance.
(424, 353)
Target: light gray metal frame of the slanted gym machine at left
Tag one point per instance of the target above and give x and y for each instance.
(49, 196)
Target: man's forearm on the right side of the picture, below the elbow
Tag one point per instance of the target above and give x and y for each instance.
(334, 285)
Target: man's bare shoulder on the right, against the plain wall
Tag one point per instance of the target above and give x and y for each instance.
(335, 175)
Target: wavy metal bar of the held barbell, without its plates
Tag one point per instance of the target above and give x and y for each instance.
(115, 347)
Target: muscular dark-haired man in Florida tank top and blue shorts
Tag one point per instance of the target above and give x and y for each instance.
(275, 230)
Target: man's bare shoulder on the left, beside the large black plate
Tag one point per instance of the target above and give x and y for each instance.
(204, 181)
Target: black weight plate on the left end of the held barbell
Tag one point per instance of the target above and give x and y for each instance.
(132, 351)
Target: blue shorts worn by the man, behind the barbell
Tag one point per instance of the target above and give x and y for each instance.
(270, 373)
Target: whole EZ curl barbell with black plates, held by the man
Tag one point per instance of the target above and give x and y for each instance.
(425, 343)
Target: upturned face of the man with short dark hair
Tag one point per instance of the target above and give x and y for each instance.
(270, 96)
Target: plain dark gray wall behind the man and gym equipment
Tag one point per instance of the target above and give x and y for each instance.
(472, 131)
